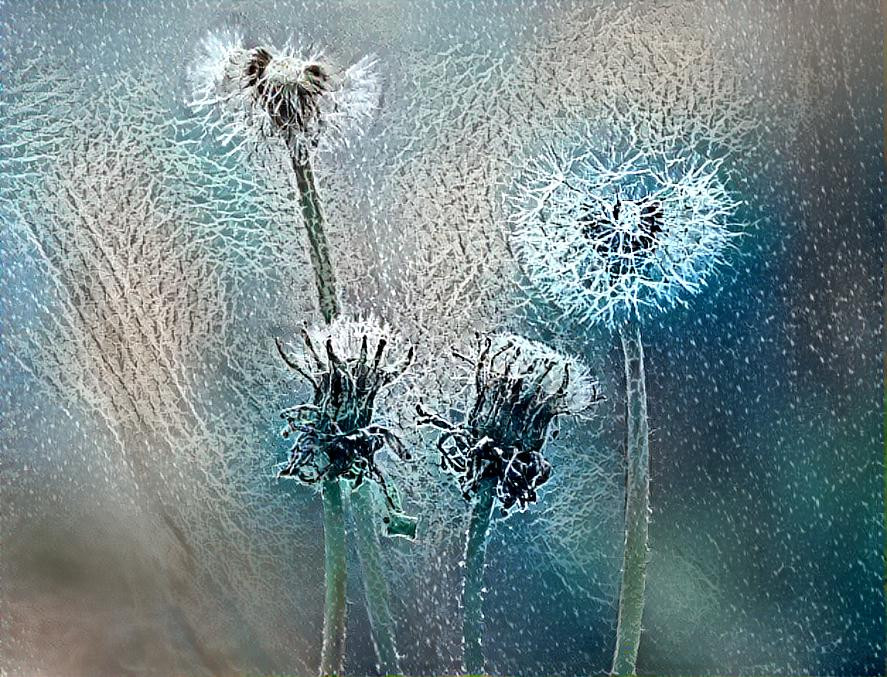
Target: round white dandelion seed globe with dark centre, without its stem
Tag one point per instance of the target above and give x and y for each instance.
(610, 233)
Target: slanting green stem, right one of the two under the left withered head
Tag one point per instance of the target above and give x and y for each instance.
(375, 583)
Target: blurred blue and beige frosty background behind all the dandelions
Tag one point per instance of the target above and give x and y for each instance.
(148, 268)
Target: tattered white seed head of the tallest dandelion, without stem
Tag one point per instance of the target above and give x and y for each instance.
(251, 97)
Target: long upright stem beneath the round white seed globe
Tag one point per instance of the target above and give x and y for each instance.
(637, 507)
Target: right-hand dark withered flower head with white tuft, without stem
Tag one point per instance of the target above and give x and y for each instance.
(520, 387)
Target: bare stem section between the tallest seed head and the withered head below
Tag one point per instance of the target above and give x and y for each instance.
(324, 276)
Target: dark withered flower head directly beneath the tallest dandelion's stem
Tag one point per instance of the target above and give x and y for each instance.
(337, 434)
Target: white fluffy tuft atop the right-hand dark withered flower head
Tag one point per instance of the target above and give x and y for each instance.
(513, 356)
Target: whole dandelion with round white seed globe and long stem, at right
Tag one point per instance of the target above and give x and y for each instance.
(613, 235)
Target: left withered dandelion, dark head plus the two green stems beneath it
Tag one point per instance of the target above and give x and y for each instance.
(336, 436)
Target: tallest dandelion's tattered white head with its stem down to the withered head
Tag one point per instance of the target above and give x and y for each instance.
(280, 107)
